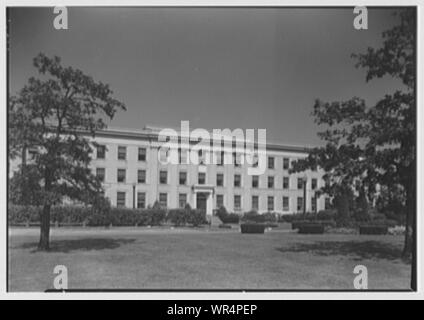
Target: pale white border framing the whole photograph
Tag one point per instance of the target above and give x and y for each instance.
(217, 295)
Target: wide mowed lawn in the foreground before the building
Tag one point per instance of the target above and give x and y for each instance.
(163, 258)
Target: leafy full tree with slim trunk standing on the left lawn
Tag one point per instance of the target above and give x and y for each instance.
(56, 114)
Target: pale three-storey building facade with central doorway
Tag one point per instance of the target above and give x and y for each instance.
(128, 164)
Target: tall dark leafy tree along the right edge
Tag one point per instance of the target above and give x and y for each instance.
(376, 144)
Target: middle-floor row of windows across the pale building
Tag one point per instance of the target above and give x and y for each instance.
(201, 179)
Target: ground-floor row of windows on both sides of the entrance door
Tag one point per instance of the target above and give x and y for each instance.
(182, 201)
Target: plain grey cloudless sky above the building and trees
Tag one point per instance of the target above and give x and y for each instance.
(248, 68)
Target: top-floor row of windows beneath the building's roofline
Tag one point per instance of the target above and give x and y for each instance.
(182, 156)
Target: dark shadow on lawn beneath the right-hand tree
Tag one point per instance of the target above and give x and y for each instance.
(358, 250)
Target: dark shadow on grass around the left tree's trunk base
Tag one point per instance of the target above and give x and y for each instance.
(85, 244)
